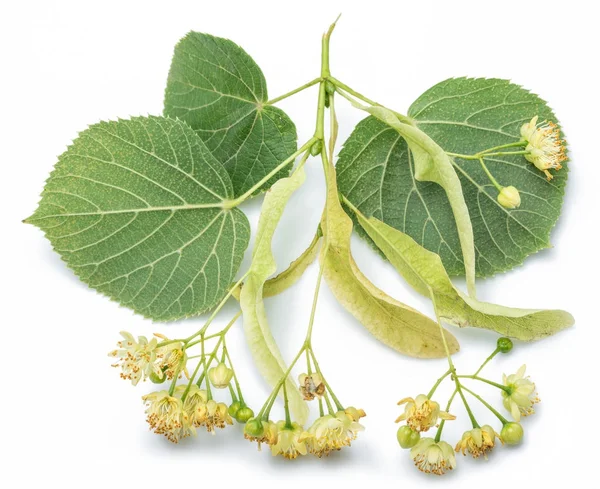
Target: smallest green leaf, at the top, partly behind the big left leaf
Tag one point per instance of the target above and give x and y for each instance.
(218, 89)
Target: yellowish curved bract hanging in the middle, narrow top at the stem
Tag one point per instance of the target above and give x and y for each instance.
(395, 324)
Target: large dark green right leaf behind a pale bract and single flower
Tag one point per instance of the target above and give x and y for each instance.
(377, 174)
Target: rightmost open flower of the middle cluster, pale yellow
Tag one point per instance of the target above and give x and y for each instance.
(331, 432)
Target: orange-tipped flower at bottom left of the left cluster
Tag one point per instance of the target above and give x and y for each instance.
(166, 416)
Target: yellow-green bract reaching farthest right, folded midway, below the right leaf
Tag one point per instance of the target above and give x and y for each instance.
(425, 272)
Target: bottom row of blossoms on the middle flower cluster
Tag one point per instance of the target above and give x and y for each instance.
(328, 433)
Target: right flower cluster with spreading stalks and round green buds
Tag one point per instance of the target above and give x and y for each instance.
(435, 456)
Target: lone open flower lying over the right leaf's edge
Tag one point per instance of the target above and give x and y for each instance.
(546, 149)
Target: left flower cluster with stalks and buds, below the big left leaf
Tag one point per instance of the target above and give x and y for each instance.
(177, 412)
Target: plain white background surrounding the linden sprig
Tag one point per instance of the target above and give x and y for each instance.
(68, 421)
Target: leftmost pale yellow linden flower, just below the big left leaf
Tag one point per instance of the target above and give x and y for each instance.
(137, 359)
